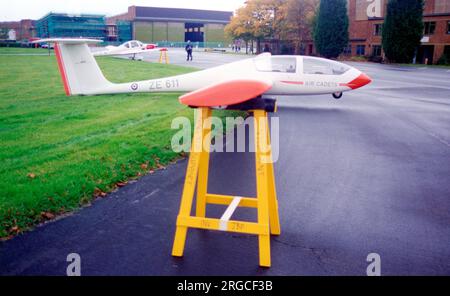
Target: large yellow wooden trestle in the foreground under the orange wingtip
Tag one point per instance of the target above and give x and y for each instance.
(197, 172)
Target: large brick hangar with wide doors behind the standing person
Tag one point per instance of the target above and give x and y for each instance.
(156, 25)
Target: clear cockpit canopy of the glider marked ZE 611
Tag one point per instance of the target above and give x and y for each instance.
(288, 64)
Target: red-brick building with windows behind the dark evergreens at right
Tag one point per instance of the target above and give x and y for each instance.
(366, 23)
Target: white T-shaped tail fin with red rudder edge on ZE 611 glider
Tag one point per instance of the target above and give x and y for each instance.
(79, 70)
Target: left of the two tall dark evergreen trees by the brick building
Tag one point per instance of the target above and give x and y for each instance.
(331, 28)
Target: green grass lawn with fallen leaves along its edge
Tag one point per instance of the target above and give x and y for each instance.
(59, 152)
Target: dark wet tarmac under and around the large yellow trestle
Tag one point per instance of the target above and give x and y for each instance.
(368, 173)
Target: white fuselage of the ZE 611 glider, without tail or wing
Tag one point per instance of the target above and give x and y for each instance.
(293, 82)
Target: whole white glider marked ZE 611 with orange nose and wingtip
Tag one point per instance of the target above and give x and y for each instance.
(221, 86)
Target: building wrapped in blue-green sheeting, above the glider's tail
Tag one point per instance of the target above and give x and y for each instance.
(68, 25)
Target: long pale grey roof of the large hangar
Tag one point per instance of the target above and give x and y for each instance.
(156, 13)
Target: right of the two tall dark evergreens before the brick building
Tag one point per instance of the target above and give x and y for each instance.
(402, 29)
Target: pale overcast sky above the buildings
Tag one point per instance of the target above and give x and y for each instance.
(14, 10)
